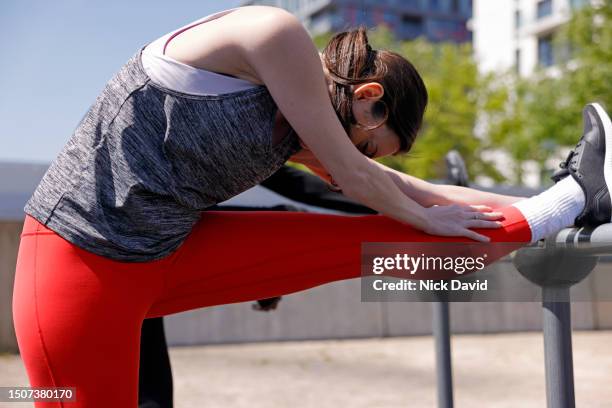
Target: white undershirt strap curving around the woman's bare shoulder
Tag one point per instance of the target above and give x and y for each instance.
(184, 78)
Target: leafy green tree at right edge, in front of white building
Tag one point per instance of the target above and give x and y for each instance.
(541, 113)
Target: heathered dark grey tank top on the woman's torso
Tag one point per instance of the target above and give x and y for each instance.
(145, 161)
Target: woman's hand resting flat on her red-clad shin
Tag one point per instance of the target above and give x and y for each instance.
(456, 219)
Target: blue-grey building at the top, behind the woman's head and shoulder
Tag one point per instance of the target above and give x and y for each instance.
(436, 20)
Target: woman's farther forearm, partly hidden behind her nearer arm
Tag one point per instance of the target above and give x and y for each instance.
(428, 194)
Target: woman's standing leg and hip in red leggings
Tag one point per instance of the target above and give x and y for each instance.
(78, 318)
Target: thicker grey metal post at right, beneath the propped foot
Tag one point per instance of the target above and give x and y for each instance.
(558, 348)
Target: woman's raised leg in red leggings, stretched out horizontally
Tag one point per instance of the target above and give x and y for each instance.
(241, 256)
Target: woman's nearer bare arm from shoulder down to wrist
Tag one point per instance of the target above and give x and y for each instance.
(283, 55)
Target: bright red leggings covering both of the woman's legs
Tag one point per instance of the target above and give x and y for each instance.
(78, 315)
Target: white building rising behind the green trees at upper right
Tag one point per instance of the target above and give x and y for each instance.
(518, 34)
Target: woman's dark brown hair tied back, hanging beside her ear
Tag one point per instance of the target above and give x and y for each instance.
(350, 60)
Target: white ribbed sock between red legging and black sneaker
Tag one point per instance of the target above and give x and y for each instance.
(553, 209)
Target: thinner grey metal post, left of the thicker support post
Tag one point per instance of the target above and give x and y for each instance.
(441, 331)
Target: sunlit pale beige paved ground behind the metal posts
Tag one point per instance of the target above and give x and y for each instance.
(490, 371)
